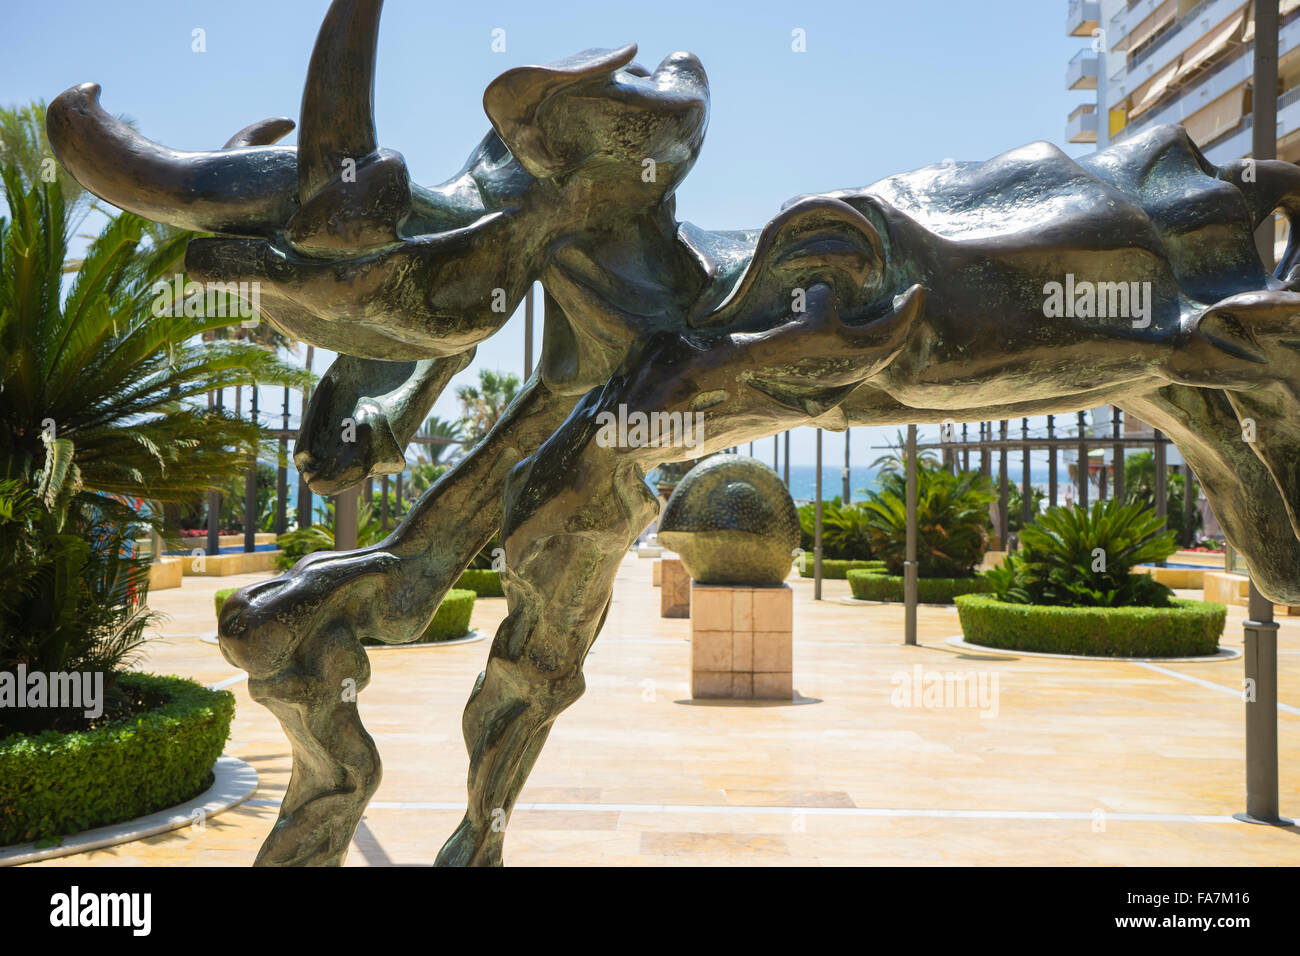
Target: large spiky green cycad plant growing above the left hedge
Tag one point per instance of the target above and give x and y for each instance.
(98, 416)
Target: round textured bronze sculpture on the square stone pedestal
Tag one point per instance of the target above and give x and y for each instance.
(733, 522)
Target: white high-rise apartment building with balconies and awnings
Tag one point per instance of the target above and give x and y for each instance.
(1186, 62)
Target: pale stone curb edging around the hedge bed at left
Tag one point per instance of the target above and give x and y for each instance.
(233, 784)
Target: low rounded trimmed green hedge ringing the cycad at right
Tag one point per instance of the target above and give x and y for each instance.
(1189, 629)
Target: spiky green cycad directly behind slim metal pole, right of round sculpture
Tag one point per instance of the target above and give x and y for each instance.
(952, 521)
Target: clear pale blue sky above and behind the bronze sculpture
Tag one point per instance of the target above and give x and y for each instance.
(882, 88)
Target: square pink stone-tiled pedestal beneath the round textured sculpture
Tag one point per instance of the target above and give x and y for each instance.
(742, 642)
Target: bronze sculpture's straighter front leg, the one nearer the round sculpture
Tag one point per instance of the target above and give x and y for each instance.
(573, 511)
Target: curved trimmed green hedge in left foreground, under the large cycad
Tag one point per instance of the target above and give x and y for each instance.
(53, 784)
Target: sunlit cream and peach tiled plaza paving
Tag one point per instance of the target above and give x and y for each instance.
(1047, 762)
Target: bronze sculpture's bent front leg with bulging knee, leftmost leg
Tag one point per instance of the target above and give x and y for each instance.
(298, 635)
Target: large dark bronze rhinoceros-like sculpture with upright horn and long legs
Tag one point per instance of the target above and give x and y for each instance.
(934, 296)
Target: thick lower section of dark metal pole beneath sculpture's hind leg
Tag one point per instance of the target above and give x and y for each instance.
(1262, 715)
